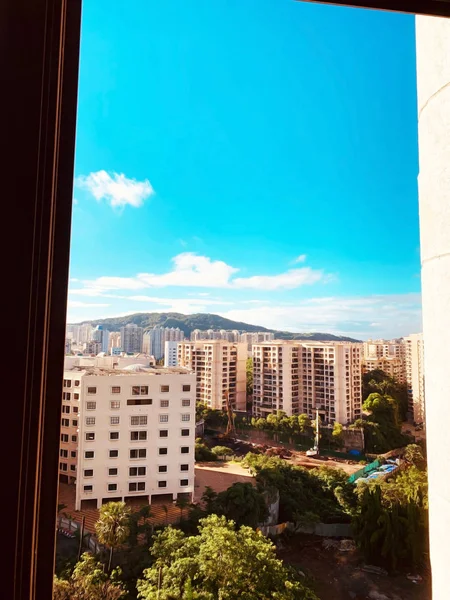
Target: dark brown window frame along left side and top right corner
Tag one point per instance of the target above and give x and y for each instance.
(45, 51)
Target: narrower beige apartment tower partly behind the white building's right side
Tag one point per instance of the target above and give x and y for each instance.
(220, 368)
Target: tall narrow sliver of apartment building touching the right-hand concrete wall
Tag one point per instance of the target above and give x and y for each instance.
(415, 376)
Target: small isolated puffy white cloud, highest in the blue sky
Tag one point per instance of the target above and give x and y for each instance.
(116, 189)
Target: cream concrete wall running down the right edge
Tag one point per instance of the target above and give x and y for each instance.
(433, 83)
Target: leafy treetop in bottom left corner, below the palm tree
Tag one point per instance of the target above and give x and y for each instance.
(88, 582)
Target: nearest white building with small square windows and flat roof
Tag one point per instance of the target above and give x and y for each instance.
(127, 433)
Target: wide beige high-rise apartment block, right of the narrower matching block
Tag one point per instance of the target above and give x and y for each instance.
(302, 377)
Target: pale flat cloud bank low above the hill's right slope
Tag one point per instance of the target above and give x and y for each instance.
(396, 315)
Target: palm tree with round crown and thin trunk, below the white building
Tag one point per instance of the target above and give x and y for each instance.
(112, 527)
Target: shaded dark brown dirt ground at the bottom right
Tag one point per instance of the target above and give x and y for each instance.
(337, 575)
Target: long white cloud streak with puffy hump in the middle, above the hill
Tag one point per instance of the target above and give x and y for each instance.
(193, 270)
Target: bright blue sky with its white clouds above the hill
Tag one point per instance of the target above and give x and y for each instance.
(253, 159)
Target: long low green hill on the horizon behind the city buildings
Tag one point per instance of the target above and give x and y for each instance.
(188, 323)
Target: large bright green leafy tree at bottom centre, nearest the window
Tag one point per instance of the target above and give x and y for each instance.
(221, 562)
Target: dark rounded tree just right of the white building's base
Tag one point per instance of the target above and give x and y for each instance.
(242, 503)
